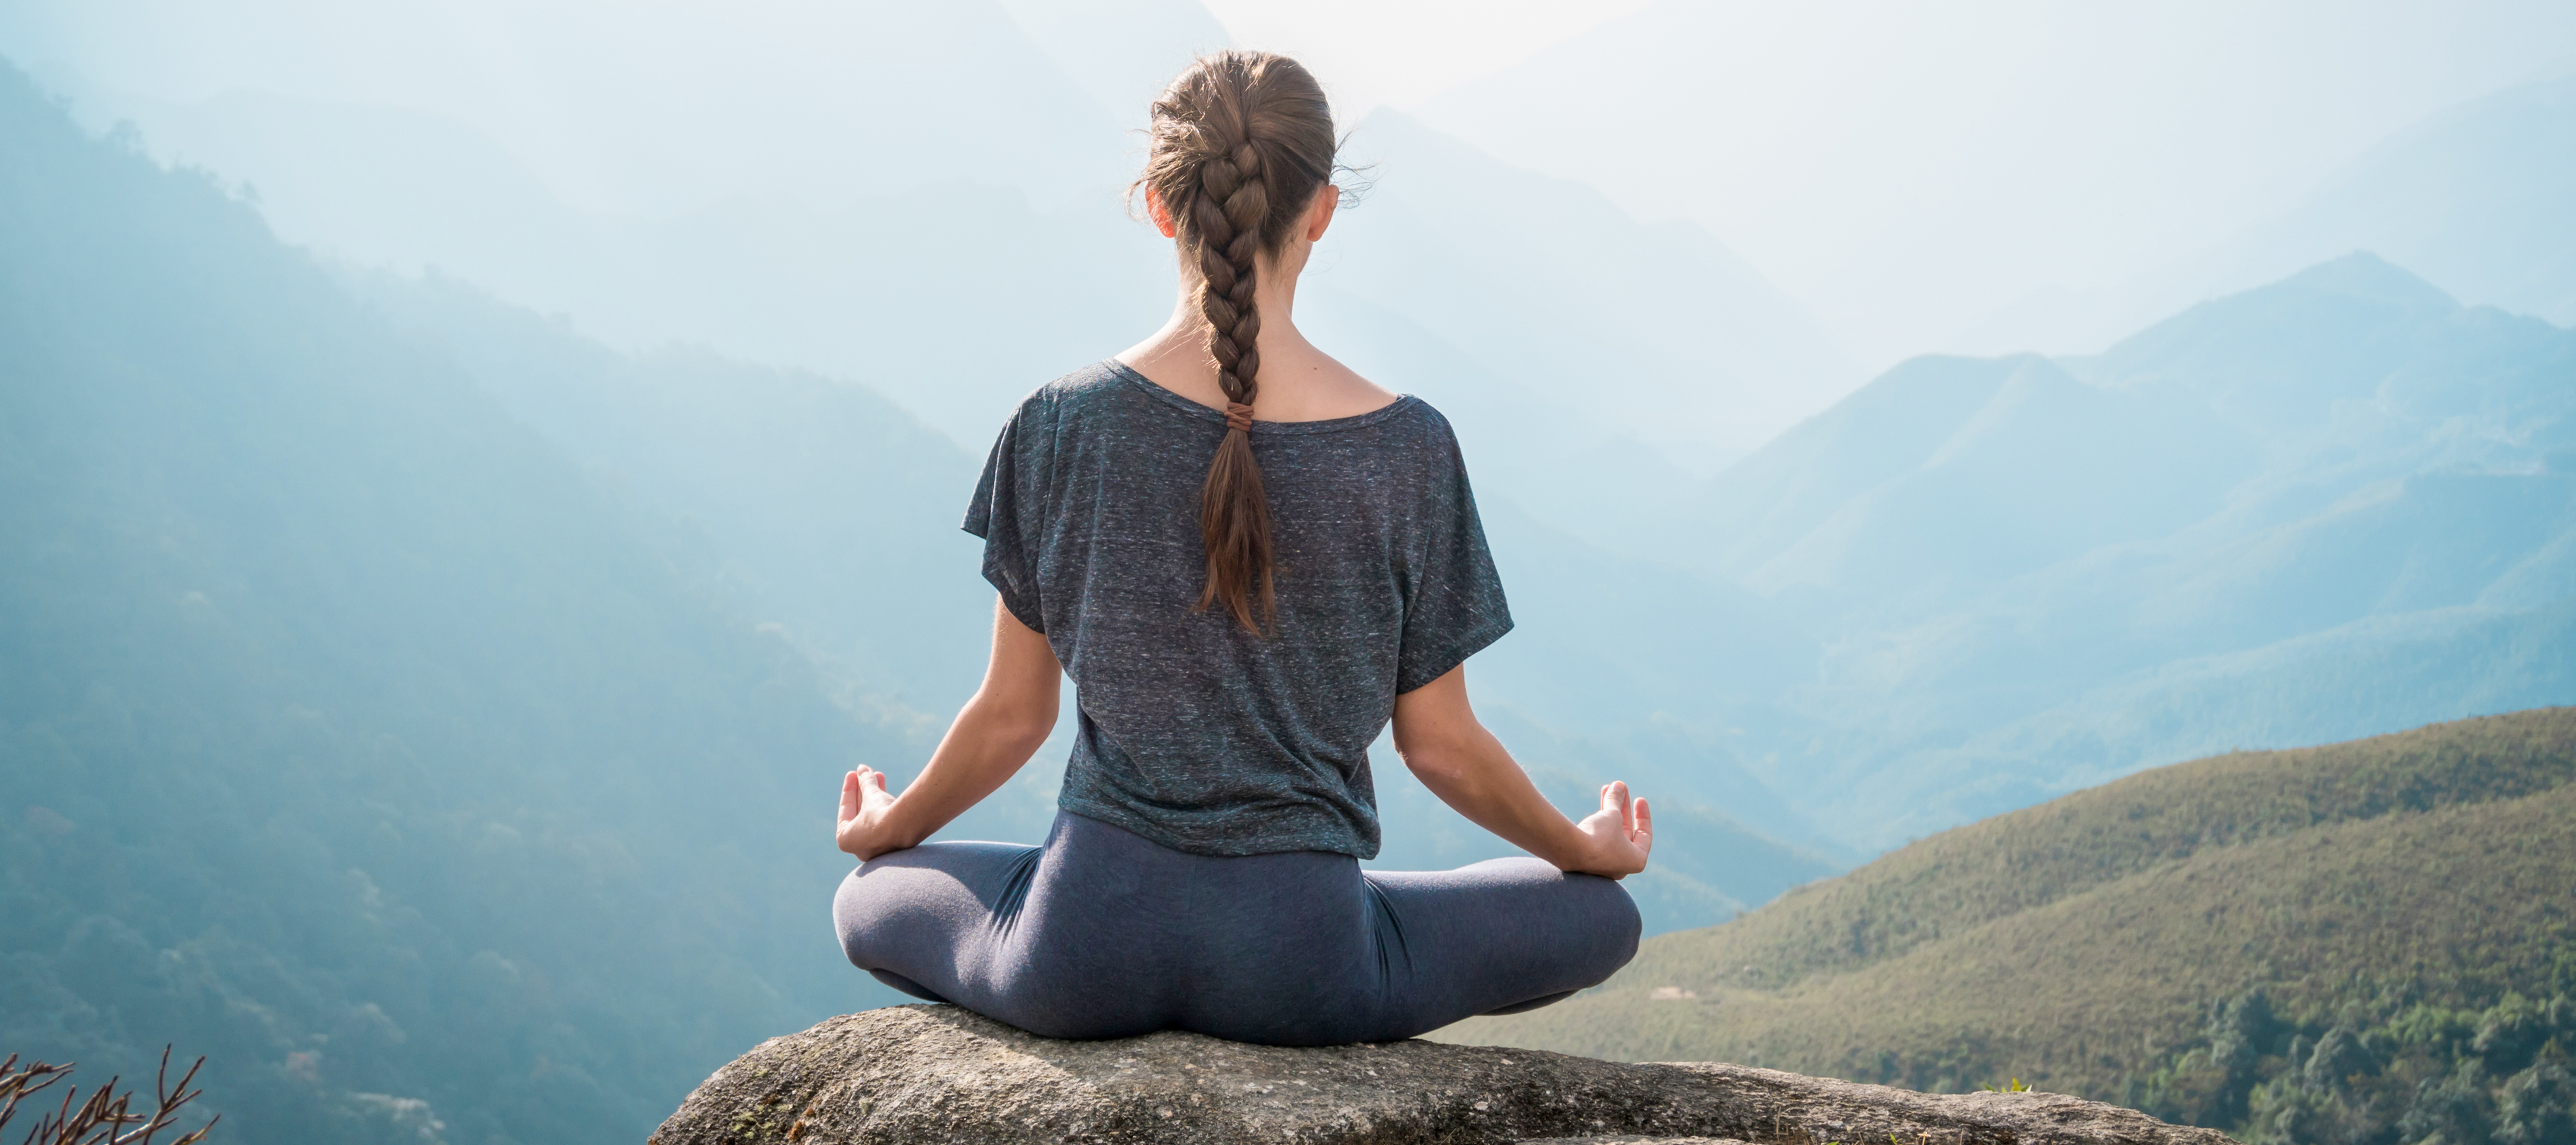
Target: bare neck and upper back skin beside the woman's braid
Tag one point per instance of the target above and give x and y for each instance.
(1294, 380)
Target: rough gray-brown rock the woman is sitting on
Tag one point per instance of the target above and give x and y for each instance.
(939, 1074)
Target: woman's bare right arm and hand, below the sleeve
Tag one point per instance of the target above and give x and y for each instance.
(1444, 747)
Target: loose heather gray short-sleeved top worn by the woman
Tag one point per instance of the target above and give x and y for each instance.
(1197, 734)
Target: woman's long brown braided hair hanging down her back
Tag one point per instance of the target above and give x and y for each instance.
(1243, 143)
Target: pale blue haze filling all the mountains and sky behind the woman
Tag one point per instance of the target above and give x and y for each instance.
(475, 476)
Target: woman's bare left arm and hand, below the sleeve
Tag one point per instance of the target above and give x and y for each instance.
(990, 739)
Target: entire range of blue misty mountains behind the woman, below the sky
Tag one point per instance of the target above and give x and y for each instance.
(444, 638)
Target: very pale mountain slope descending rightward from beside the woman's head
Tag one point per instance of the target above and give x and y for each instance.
(1655, 331)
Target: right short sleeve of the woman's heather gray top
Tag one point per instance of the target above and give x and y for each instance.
(1454, 607)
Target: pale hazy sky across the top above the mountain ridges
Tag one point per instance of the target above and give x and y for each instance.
(1967, 177)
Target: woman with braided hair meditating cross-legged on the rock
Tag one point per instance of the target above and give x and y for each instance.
(1251, 561)
